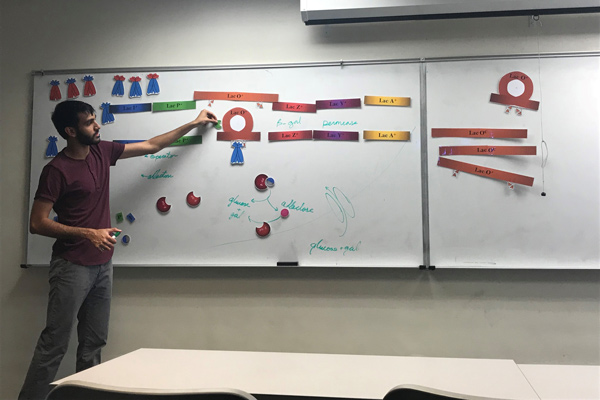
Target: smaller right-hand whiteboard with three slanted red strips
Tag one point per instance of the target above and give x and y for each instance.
(481, 222)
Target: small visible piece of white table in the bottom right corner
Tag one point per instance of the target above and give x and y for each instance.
(564, 382)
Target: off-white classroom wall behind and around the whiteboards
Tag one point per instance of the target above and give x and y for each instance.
(529, 316)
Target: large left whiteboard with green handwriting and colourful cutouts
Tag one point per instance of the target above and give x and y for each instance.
(351, 203)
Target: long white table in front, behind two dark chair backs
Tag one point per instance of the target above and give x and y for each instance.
(312, 375)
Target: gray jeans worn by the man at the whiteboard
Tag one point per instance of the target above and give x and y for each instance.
(75, 291)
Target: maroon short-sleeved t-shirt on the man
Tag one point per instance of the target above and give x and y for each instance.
(79, 190)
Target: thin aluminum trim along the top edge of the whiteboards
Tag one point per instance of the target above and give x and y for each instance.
(338, 63)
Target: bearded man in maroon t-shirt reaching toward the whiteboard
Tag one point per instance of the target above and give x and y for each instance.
(76, 185)
